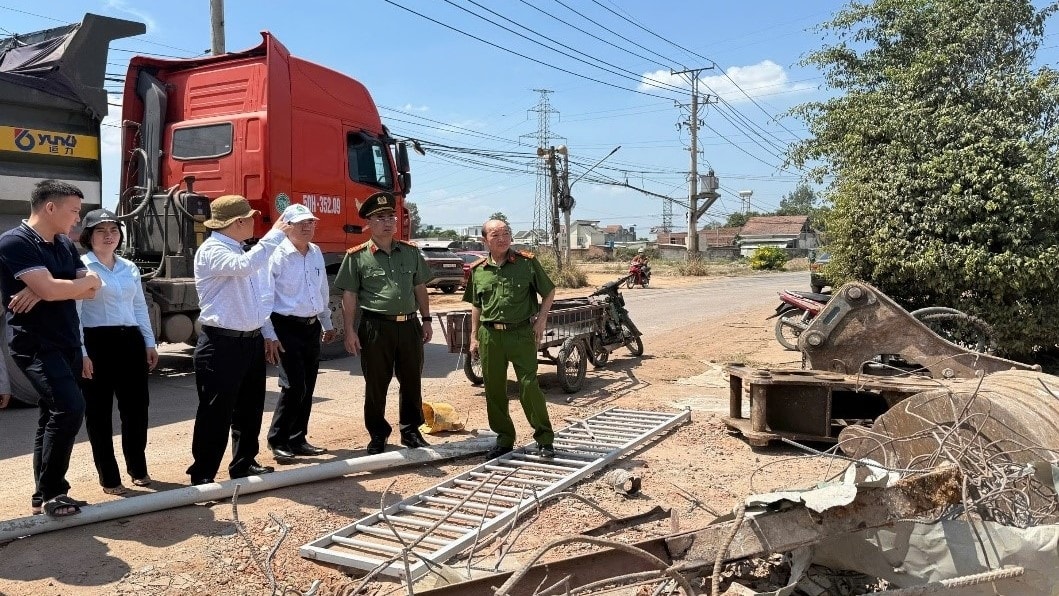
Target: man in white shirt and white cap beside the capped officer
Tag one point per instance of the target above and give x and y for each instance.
(301, 319)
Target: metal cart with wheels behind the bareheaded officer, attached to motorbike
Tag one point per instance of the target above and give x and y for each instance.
(571, 326)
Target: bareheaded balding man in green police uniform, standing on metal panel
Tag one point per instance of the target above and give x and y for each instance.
(504, 291)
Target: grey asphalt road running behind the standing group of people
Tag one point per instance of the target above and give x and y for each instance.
(174, 401)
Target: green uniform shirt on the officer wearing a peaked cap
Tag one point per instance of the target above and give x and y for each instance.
(384, 282)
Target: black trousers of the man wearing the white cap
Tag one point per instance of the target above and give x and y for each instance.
(301, 366)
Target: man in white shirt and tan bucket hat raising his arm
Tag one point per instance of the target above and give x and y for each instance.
(236, 299)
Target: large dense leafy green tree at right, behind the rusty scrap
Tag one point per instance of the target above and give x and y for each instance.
(941, 147)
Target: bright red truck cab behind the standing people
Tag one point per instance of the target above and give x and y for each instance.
(270, 127)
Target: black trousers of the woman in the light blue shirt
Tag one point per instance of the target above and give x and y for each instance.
(120, 371)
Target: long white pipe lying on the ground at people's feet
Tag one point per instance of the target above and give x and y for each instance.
(12, 530)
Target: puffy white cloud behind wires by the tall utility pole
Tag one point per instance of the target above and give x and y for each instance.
(764, 79)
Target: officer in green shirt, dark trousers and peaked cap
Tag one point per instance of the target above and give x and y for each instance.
(387, 280)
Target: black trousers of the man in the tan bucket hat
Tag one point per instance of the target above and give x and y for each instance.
(230, 380)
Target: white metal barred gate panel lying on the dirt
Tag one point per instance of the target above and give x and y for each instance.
(444, 520)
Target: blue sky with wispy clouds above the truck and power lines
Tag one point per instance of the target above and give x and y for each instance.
(436, 84)
